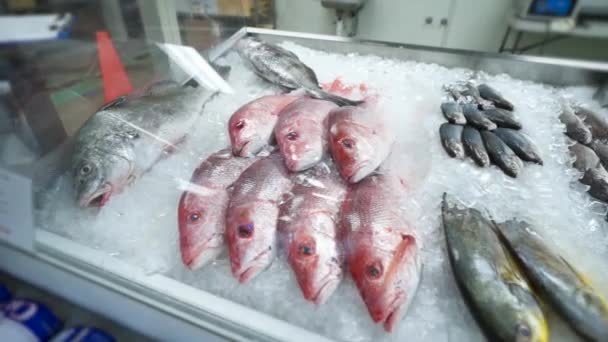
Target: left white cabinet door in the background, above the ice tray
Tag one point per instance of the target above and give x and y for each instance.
(404, 21)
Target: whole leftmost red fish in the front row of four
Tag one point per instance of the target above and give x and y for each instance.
(201, 213)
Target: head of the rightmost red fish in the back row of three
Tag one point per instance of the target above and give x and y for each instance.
(355, 148)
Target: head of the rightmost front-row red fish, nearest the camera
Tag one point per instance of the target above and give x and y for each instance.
(386, 280)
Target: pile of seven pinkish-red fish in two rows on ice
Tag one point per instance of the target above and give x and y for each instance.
(293, 200)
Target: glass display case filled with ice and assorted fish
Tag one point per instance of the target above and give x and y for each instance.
(271, 185)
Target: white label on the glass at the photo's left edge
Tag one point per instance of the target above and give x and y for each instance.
(16, 222)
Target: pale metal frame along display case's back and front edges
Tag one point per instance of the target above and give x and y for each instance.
(161, 307)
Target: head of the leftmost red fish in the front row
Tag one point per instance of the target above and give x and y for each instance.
(201, 229)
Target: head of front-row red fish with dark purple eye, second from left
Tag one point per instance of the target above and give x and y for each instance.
(251, 235)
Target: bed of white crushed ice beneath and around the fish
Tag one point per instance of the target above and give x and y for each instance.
(139, 226)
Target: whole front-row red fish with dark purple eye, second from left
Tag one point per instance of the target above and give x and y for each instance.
(251, 217)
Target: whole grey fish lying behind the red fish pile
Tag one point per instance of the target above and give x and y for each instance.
(283, 68)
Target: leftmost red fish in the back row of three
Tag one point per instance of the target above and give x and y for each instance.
(250, 127)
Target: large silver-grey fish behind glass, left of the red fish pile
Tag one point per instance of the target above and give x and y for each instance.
(128, 136)
